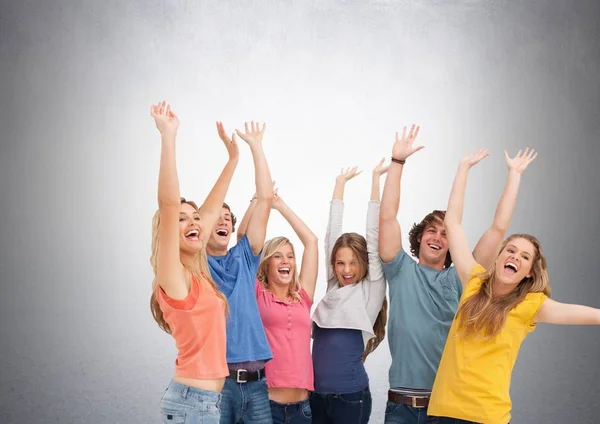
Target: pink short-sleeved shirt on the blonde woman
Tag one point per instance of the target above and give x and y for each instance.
(288, 328)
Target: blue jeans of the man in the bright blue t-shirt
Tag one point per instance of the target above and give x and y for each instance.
(246, 403)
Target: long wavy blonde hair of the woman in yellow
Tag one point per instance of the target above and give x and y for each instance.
(483, 314)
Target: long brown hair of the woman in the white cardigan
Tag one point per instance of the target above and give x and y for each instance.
(358, 245)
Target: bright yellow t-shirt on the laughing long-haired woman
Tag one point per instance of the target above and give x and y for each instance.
(473, 378)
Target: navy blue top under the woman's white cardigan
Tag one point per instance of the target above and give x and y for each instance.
(337, 360)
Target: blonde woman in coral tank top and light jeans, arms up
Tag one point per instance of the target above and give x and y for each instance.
(185, 301)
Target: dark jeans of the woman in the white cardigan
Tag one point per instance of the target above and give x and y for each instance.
(346, 408)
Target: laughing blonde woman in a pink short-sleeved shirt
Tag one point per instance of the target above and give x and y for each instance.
(284, 301)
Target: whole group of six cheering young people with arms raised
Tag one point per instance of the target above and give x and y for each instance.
(241, 316)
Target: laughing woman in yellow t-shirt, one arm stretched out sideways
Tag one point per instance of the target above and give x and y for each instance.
(498, 308)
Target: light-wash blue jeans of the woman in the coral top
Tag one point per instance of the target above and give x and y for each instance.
(183, 404)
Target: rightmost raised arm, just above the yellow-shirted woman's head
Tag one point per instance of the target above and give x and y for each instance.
(485, 250)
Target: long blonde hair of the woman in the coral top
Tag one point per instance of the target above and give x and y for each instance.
(195, 273)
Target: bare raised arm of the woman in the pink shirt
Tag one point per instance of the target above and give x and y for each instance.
(310, 256)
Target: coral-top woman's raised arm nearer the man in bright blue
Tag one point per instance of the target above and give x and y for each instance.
(210, 211)
